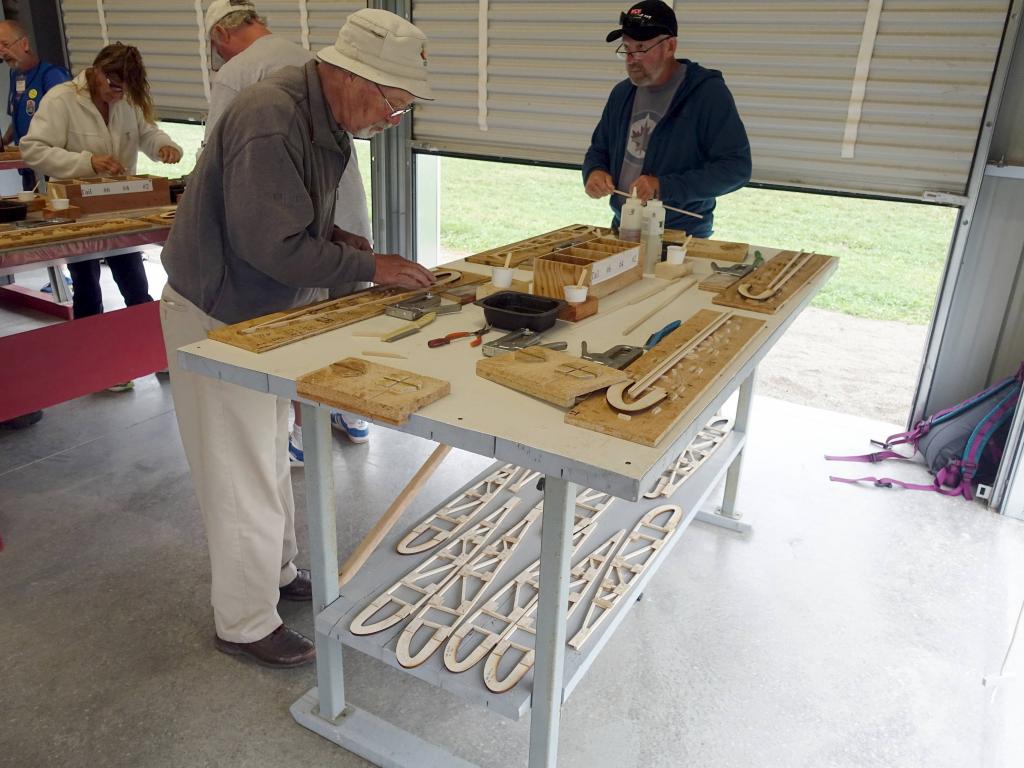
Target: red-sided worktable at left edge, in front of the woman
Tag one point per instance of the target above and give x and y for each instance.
(61, 362)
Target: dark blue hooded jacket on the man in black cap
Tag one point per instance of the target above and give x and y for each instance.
(699, 150)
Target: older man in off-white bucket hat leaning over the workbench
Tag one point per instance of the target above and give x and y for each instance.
(253, 235)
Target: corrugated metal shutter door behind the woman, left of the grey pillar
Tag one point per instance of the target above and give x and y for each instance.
(168, 35)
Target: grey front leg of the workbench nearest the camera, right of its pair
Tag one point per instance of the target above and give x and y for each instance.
(557, 539)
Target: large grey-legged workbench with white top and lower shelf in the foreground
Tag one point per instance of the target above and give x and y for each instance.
(489, 420)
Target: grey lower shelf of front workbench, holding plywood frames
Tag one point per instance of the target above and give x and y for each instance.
(387, 567)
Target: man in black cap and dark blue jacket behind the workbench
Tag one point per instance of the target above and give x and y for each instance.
(670, 132)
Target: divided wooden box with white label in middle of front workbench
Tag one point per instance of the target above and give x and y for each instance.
(611, 265)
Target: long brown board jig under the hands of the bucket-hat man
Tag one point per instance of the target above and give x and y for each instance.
(277, 330)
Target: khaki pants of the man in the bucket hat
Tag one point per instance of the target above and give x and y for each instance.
(236, 442)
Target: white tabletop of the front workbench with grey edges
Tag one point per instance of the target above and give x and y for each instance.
(491, 420)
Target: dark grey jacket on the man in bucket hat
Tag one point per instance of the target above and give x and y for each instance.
(252, 234)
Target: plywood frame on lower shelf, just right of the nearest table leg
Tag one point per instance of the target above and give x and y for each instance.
(633, 558)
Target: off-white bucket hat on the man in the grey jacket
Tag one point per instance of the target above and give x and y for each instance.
(383, 49)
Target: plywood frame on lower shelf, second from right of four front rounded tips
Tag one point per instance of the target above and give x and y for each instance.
(476, 637)
